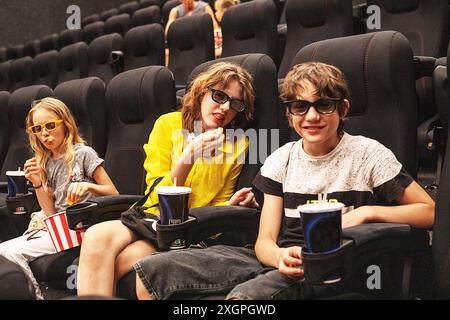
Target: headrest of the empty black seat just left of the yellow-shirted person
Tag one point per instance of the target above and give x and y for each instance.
(131, 101)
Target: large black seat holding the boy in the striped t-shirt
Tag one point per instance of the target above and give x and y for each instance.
(380, 72)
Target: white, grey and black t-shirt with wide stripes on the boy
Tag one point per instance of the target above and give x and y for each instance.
(359, 171)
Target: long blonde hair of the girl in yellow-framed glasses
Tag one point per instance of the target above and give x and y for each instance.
(71, 135)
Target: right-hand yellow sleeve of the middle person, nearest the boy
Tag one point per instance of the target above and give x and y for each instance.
(223, 197)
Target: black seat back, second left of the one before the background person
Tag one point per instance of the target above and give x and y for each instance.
(100, 56)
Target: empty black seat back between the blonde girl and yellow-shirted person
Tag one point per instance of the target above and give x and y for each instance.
(134, 99)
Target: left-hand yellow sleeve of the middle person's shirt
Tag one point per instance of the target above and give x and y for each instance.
(158, 159)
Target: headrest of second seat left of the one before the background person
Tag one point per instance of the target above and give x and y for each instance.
(101, 47)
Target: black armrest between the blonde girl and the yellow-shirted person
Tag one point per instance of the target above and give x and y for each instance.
(98, 209)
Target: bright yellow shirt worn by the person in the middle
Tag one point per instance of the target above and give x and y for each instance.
(212, 183)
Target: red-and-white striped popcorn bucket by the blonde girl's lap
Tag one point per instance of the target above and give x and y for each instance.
(62, 237)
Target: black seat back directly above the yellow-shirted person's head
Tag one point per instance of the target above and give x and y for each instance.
(250, 27)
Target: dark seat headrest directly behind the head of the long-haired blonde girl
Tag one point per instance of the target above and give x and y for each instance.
(20, 101)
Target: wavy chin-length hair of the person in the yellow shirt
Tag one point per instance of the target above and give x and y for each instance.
(218, 76)
